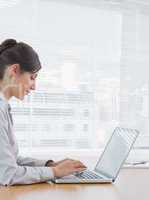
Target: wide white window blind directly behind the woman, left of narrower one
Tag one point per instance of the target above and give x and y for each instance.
(76, 104)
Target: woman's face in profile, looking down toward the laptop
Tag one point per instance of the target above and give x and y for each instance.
(24, 84)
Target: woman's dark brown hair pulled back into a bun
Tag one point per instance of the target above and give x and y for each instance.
(13, 52)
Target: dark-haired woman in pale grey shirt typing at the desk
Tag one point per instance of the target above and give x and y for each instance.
(19, 66)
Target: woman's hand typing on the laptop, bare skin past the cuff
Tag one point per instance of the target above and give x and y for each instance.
(67, 167)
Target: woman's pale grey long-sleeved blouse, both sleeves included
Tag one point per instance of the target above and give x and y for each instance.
(15, 169)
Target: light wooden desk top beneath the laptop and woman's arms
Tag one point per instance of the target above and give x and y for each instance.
(131, 184)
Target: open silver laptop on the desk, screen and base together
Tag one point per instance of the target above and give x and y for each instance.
(110, 162)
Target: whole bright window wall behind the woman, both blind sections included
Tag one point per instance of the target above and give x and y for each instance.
(88, 83)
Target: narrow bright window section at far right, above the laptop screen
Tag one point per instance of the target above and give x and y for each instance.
(134, 98)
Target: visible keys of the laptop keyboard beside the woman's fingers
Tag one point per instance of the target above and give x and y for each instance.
(88, 175)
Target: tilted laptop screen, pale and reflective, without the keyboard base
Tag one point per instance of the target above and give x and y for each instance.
(116, 151)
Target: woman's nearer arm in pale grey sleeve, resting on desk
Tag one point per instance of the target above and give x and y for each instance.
(10, 172)
